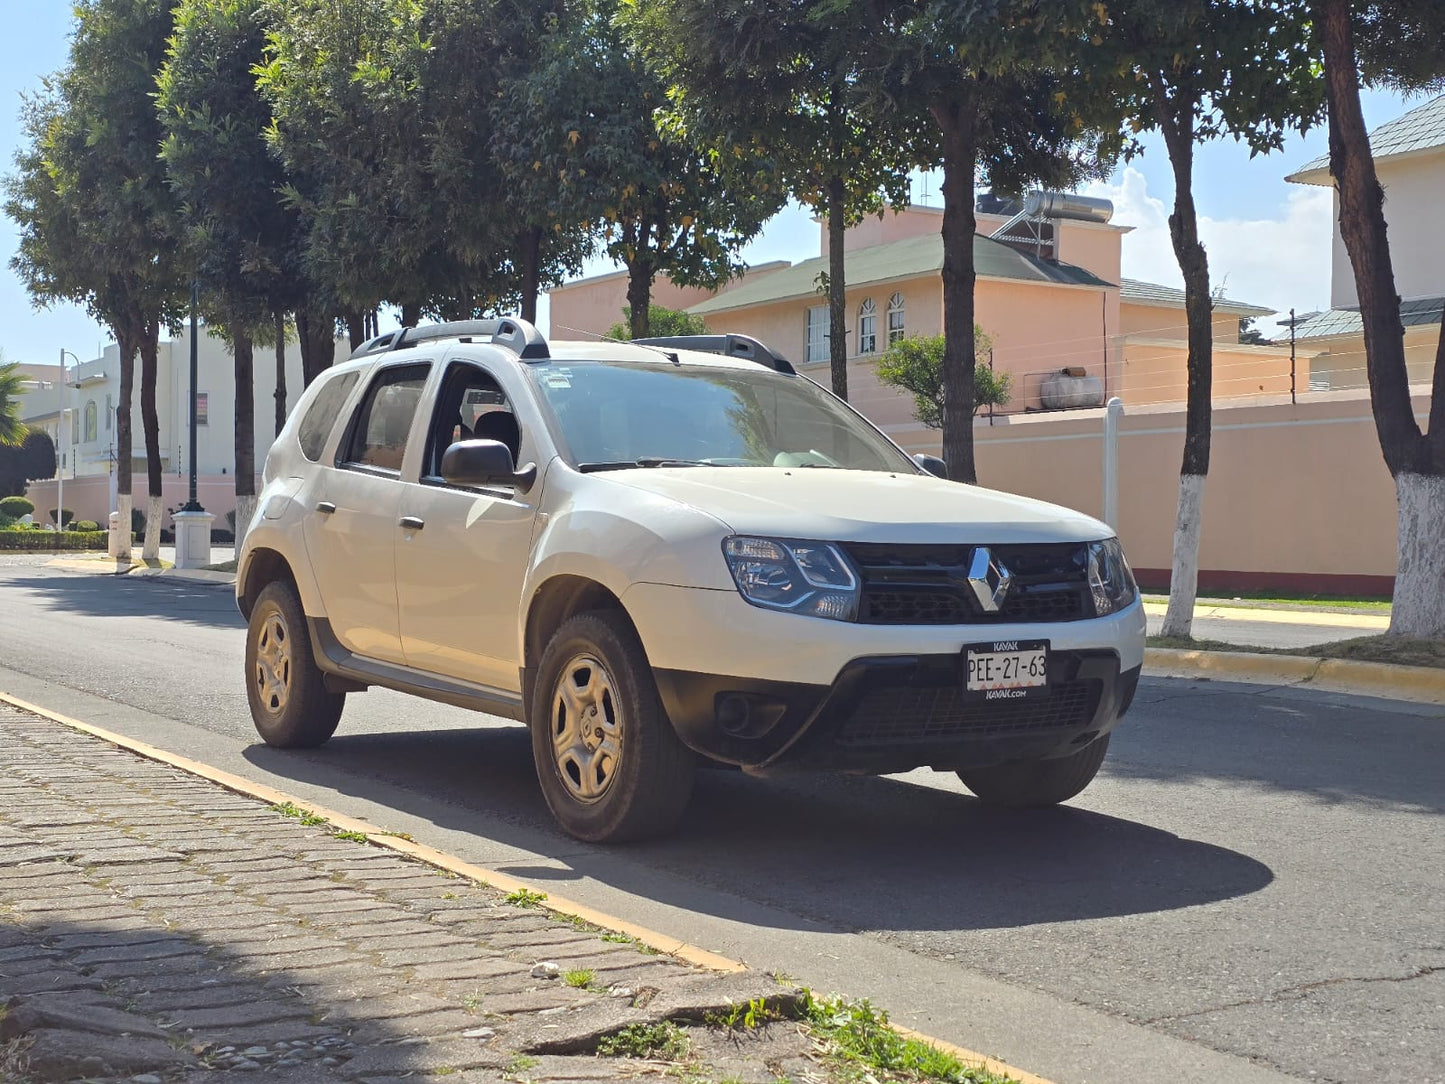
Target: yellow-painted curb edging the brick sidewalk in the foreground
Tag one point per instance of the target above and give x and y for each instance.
(671, 946)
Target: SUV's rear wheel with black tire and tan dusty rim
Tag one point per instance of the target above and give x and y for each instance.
(291, 705)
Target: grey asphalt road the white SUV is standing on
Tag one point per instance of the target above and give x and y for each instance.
(1252, 891)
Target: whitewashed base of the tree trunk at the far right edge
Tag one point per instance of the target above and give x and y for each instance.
(1420, 580)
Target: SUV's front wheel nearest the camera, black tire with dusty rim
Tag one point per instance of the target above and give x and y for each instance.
(611, 765)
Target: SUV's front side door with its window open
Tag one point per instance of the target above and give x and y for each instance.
(460, 573)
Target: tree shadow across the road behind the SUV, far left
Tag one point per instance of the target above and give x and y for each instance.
(124, 596)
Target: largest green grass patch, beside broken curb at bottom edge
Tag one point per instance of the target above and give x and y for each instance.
(856, 1036)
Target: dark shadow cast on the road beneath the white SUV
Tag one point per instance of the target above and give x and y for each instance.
(856, 853)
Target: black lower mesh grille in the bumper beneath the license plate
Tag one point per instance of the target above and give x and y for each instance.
(904, 715)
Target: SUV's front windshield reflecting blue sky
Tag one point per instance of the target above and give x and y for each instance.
(616, 416)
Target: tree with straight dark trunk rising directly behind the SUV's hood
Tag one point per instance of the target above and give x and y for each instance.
(992, 82)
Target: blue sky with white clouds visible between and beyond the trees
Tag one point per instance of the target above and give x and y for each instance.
(1268, 241)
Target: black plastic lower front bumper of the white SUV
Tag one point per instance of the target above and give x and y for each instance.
(897, 713)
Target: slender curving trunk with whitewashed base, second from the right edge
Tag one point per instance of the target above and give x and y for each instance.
(1194, 264)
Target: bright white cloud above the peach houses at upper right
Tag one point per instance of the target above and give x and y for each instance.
(1281, 262)
